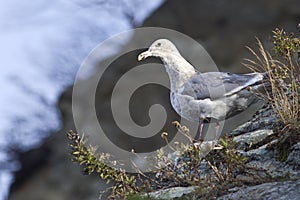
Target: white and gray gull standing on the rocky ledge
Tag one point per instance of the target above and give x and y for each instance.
(204, 97)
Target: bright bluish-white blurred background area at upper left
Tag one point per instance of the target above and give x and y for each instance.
(42, 46)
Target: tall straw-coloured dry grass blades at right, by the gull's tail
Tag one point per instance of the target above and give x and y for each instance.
(283, 76)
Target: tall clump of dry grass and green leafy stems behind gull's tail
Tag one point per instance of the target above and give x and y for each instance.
(283, 74)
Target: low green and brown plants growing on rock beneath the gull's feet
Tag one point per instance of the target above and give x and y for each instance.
(214, 173)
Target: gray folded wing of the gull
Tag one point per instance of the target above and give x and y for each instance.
(216, 85)
